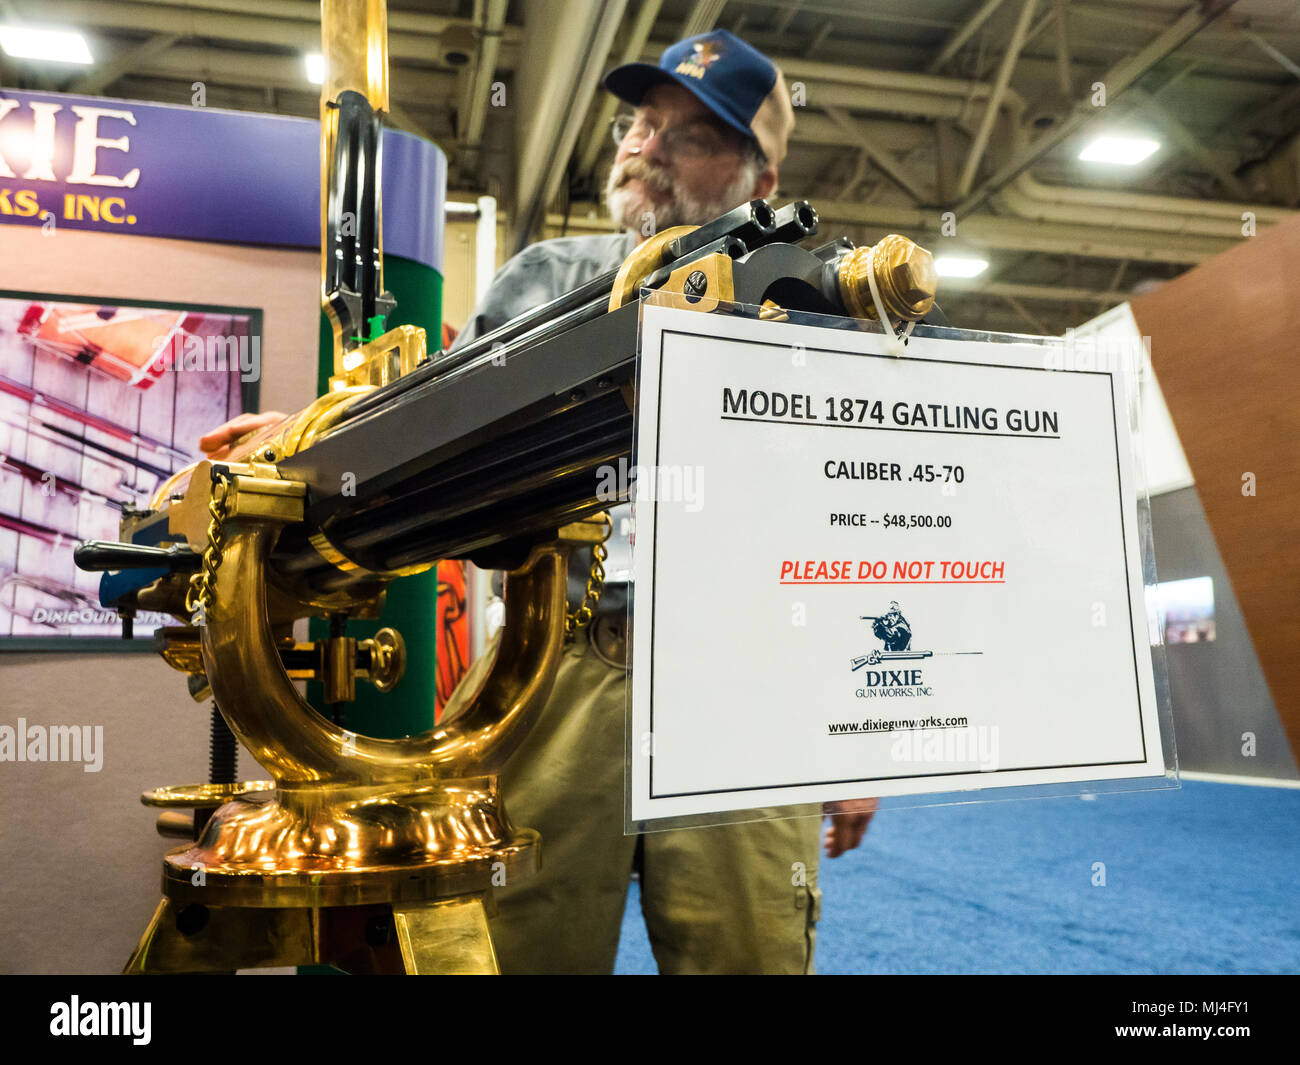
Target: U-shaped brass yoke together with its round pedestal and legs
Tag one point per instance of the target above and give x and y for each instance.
(374, 855)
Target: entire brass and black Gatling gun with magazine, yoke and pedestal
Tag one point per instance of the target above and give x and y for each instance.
(378, 855)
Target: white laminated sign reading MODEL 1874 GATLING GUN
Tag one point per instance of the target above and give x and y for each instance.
(863, 575)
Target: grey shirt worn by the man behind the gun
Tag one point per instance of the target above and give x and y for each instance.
(540, 274)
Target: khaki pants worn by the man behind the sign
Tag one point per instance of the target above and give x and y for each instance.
(731, 899)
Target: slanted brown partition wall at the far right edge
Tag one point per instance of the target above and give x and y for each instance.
(1227, 347)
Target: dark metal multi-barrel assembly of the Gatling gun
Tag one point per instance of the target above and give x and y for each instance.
(480, 452)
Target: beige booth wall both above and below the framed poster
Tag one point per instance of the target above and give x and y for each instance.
(80, 858)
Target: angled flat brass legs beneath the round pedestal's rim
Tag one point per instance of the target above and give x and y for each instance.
(444, 937)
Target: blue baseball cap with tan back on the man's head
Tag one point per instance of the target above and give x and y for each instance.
(734, 80)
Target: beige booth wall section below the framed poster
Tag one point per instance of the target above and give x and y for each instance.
(81, 860)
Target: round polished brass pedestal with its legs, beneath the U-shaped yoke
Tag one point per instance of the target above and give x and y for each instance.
(369, 880)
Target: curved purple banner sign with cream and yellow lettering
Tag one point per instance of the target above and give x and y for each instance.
(197, 175)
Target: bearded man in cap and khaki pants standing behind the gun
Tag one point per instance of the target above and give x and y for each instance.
(709, 131)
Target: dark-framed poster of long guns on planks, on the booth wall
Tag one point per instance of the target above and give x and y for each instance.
(101, 402)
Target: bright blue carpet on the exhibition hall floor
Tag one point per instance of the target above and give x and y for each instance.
(1202, 880)
